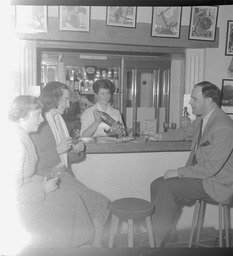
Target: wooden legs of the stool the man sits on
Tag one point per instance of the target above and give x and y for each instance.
(198, 220)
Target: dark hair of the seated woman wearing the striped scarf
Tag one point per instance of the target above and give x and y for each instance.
(51, 94)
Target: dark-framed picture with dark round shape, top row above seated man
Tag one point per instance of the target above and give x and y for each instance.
(203, 23)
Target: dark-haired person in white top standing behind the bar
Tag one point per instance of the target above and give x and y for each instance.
(92, 125)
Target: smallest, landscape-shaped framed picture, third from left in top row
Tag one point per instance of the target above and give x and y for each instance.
(121, 16)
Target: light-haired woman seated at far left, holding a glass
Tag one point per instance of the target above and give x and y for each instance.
(52, 214)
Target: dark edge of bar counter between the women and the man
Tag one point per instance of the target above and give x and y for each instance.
(137, 147)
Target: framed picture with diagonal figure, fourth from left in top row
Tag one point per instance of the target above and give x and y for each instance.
(166, 21)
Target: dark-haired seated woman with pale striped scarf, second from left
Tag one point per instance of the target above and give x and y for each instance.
(54, 145)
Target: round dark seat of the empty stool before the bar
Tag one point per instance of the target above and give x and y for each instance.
(131, 208)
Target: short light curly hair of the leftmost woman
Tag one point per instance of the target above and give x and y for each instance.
(22, 105)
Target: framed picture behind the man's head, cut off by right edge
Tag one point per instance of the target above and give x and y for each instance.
(227, 96)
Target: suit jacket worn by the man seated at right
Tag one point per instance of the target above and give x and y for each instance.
(214, 154)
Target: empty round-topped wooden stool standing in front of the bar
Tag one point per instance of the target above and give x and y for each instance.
(129, 209)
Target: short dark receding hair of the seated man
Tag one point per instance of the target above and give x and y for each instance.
(210, 90)
